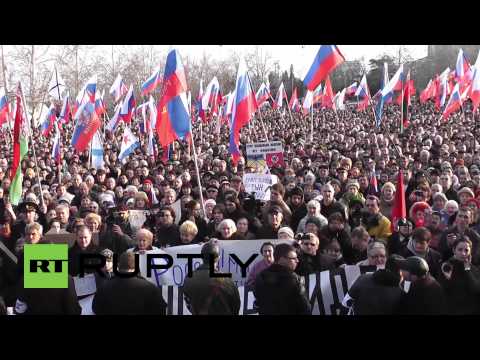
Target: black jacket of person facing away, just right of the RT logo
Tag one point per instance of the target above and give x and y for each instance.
(129, 296)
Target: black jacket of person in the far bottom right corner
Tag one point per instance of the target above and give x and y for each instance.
(462, 290)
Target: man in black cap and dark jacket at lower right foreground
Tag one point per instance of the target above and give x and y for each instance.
(424, 295)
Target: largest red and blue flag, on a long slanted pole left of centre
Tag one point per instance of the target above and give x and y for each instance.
(173, 117)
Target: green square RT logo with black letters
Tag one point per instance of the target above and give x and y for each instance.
(45, 266)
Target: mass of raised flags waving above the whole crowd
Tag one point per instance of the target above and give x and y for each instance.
(172, 116)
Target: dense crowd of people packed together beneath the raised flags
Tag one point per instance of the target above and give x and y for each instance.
(334, 199)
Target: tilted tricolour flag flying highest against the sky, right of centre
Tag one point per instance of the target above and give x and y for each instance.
(327, 59)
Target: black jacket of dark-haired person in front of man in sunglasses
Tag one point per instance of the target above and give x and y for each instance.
(278, 291)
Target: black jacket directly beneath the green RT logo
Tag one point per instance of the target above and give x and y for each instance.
(50, 301)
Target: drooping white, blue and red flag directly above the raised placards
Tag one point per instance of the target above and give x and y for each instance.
(244, 106)
